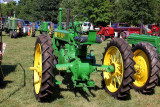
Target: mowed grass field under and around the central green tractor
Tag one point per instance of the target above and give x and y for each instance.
(18, 82)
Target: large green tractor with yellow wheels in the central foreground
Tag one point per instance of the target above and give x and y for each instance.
(67, 52)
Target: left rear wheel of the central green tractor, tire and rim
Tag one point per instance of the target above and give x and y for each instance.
(44, 62)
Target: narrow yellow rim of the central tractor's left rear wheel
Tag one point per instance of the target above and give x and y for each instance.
(38, 70)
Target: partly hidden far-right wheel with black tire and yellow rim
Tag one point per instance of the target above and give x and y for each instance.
(147, 67)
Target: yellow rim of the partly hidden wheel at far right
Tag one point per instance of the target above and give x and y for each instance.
(142, 68)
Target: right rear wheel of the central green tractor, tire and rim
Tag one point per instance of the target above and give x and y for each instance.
(118, 54)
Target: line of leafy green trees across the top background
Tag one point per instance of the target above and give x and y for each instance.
(100, 12)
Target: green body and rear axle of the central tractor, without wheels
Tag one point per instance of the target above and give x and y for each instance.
(73, 57)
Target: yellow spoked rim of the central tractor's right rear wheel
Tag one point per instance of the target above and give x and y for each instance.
(113, 80)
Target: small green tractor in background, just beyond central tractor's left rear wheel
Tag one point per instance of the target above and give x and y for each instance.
(43, 28)
